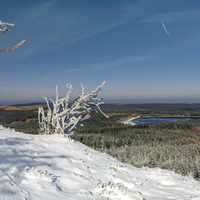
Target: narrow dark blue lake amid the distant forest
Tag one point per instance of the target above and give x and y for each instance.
(162, 119)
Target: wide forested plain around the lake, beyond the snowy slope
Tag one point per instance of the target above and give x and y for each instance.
(173, 146)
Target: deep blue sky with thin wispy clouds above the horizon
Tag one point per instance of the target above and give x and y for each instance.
(143, 49)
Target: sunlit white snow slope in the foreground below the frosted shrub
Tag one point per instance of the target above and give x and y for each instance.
(56, 167)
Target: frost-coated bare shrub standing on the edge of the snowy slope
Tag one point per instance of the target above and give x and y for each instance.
(63, 118)
